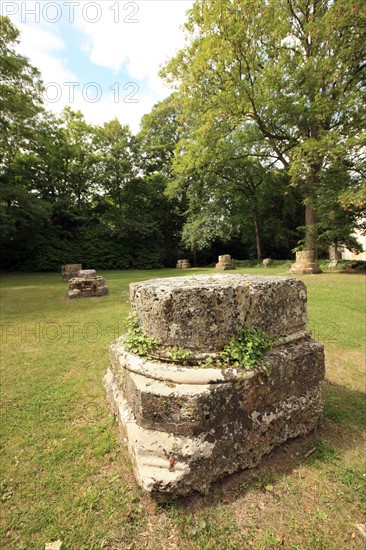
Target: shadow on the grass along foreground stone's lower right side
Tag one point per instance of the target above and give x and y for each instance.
(340, 429)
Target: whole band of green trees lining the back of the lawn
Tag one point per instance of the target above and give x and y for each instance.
(266, 123)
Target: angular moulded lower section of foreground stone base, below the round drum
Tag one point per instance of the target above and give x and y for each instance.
(189, 427)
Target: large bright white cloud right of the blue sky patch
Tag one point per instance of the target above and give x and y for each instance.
(139, 47)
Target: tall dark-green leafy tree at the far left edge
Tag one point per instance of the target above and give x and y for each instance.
(20, 105)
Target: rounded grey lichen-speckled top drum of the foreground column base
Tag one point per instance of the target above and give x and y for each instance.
(204, 312)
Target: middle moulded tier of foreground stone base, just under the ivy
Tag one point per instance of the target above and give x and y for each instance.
(187, 405)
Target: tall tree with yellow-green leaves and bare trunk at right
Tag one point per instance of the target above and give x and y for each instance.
(292, 68)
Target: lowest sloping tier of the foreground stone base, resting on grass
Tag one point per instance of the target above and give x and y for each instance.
(209, 455)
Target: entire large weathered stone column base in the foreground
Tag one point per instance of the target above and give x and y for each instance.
(187, 425)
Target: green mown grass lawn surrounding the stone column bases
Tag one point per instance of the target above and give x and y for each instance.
(65, 475)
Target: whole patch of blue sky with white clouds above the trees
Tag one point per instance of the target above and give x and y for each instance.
(100, 57)
